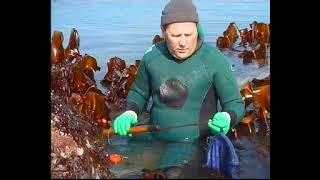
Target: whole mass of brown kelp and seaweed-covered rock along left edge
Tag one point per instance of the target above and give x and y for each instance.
(78, 112)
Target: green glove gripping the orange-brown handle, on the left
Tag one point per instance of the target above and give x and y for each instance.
(124, 122)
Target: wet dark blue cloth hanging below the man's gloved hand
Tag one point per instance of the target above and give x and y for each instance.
(222, 157)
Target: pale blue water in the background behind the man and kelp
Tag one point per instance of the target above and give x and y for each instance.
(125, 28)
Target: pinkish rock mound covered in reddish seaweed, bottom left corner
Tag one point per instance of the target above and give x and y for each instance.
(75, 152)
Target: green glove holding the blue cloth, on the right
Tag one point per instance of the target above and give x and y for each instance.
(220, 122)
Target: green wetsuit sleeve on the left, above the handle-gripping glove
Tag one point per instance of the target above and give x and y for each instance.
(139, 94)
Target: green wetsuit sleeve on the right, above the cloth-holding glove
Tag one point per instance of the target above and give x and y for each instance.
(228, 92)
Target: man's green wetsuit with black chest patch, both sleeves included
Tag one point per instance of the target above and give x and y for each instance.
(184, 92)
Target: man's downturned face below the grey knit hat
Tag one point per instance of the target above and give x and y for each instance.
(181, 39)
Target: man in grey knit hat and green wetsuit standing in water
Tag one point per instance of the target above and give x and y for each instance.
(185, 78)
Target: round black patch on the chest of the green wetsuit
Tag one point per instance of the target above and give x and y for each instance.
(173, 93)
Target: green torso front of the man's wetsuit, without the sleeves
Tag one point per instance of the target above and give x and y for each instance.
(178, 90)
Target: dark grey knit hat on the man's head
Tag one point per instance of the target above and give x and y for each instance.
(179, 11)
